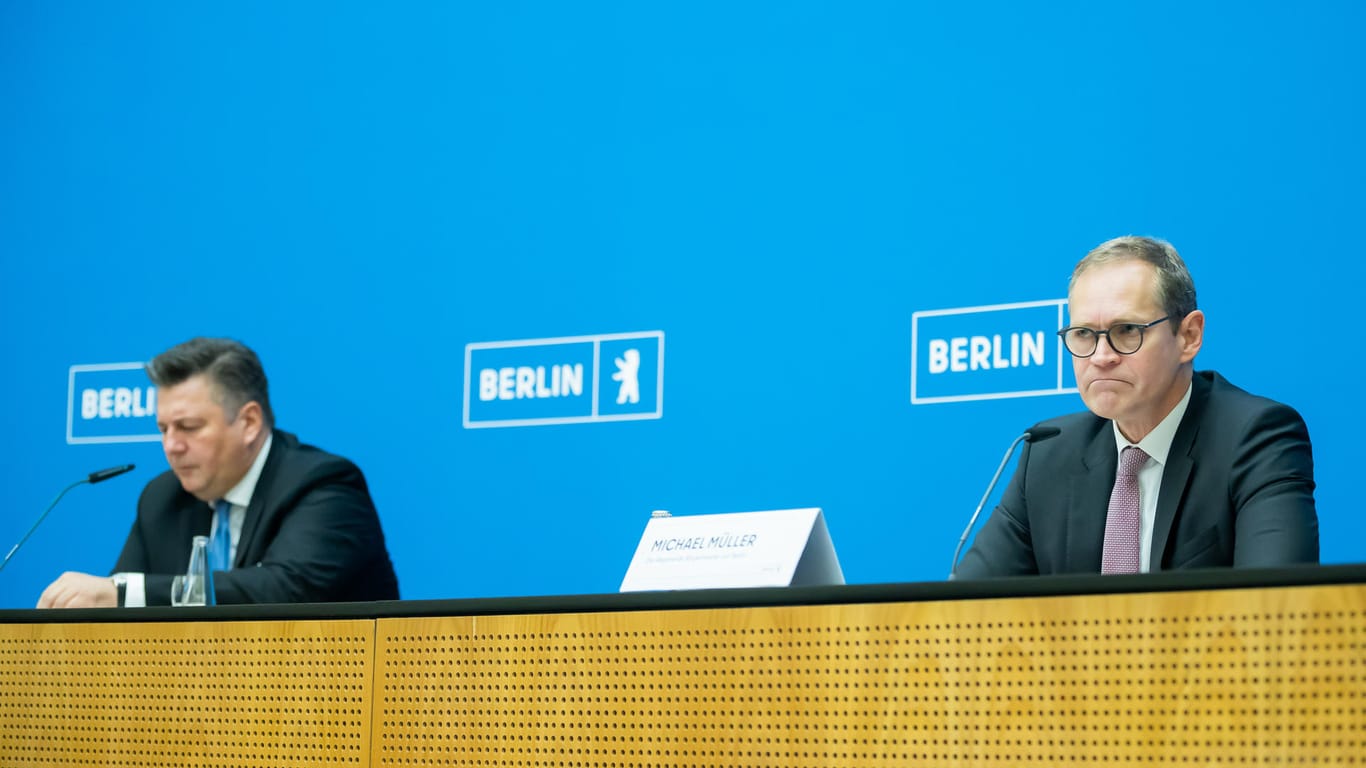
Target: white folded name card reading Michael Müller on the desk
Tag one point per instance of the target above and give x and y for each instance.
(774, 549)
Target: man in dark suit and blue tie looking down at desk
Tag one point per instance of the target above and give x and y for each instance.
(288, 523)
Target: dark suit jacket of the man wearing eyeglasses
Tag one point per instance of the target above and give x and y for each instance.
(1238, 490)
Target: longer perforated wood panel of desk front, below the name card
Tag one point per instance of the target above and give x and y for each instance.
(1233, 678)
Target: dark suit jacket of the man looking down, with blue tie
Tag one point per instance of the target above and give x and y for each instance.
(311, 535)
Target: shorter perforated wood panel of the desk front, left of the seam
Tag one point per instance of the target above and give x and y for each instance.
(241, 694)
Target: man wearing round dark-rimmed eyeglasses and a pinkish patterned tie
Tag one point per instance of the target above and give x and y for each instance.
(1170, 468)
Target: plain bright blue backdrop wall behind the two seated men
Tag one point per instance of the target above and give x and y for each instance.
(777, 197)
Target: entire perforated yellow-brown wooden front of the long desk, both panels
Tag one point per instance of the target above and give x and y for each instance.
(1231, 677)
